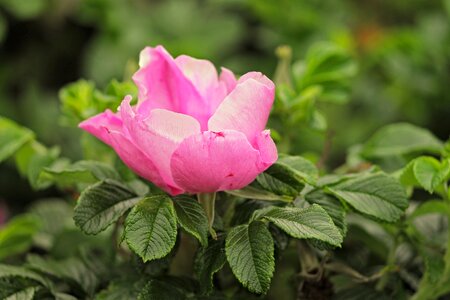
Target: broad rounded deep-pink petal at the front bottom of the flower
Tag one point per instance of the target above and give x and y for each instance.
(216, 161)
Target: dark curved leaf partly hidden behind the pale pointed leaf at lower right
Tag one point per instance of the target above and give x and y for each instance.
(332, 206)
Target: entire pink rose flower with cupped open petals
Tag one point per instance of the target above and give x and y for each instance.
(192, 130)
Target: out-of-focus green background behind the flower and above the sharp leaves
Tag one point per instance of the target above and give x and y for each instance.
(402, 51)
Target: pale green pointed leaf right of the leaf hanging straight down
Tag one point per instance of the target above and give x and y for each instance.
(308, 223)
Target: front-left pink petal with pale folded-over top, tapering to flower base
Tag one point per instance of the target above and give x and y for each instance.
(158, 134)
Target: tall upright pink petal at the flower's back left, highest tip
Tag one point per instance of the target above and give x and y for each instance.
(162, 84)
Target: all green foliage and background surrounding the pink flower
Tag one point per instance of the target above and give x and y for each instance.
(314, 225)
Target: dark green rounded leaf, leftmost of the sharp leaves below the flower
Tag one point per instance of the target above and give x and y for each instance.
(102, 204)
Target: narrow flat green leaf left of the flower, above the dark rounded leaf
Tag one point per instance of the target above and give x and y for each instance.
(82, 171)
